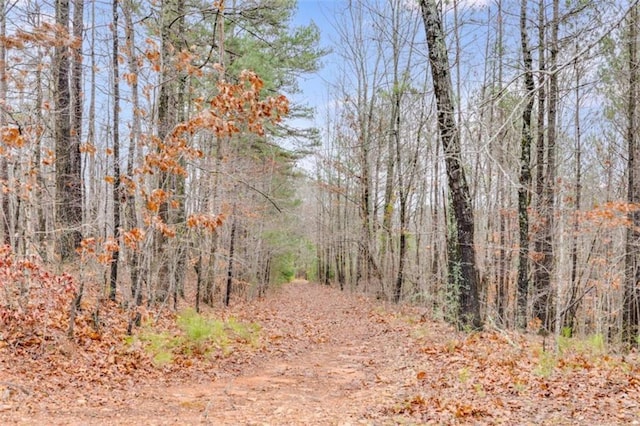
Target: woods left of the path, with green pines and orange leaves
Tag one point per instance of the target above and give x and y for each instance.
(143, 142)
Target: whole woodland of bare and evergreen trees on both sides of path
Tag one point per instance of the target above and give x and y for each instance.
(479, 159)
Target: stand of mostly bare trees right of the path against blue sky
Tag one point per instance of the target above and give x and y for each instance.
(532, 123)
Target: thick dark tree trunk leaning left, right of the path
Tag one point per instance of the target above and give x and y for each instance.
(468, 296)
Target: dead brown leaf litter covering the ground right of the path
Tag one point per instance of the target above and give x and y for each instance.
(498, 377)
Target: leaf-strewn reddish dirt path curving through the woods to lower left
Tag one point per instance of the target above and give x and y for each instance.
(327, 358)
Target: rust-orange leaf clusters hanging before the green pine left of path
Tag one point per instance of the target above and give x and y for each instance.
(236, 107)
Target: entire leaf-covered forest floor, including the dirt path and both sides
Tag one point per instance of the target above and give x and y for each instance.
(327, 357)
